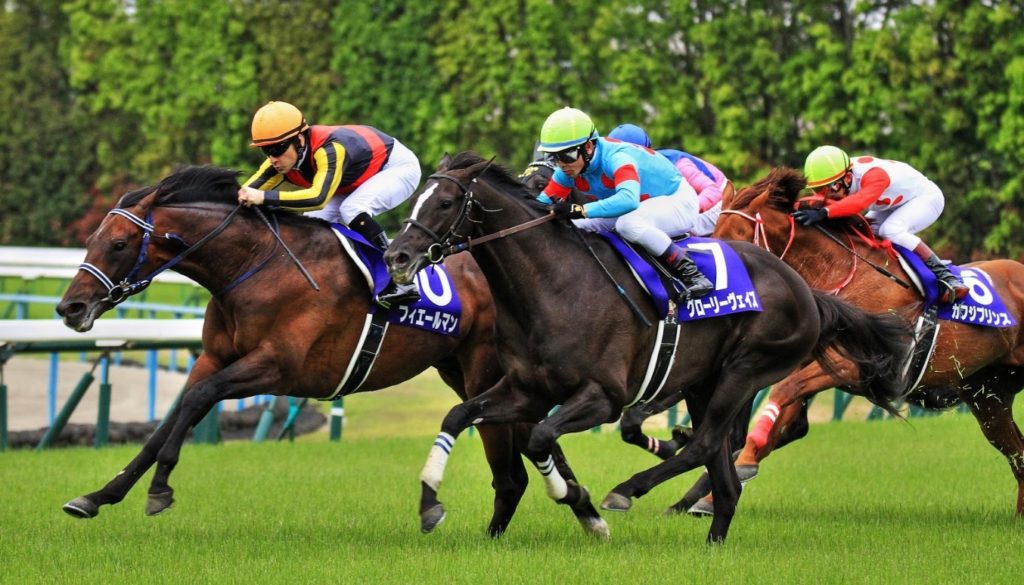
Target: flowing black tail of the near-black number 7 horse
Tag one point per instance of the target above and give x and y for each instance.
(876, 344)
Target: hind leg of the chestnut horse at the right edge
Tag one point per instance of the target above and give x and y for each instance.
(990, 394)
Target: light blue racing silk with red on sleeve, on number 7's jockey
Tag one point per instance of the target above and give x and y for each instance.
(620, 177)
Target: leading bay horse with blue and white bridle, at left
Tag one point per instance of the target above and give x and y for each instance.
(267, 330)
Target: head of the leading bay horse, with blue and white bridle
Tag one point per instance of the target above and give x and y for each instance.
(123, 255)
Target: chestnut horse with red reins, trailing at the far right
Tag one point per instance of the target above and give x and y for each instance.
(984, 366)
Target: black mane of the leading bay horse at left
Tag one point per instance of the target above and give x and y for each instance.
(191, 185)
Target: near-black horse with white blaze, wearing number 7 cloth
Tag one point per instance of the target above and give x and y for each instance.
(567, 340)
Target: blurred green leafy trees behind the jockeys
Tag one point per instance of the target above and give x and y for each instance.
(101, 97)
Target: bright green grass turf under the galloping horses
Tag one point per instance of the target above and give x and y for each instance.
(857, 503)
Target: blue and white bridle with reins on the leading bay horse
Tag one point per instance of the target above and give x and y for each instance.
(117, 294)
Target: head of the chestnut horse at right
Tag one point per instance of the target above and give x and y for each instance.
(760, 208)
